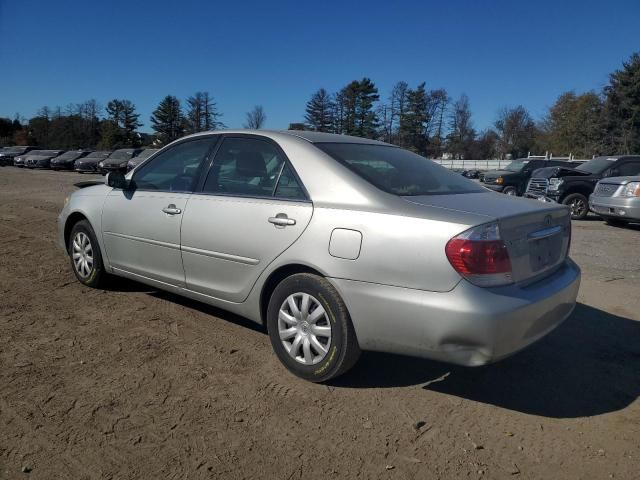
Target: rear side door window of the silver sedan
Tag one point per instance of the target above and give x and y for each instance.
(251, 167)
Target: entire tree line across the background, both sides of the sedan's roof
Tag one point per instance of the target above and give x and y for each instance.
(427, 121)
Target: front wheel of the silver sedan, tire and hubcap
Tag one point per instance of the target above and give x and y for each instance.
(85, 256)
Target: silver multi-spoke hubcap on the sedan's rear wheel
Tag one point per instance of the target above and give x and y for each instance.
(304, 328)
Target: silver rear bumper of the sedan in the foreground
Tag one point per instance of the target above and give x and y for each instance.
(468, 326)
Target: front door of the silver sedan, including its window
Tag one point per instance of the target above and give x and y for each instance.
(141, 225)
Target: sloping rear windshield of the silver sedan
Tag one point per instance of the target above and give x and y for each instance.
(398, 171)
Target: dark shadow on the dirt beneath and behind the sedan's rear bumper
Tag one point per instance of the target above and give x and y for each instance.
(588, 366)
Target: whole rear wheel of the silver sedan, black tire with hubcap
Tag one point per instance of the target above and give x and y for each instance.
(317, 326)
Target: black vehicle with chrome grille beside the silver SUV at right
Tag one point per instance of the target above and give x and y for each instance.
(572, 186)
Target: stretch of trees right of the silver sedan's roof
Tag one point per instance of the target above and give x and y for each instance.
(431, 123)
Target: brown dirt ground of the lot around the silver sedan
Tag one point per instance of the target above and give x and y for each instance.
(136, 383)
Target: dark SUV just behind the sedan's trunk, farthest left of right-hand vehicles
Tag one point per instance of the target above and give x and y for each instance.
(513, 179)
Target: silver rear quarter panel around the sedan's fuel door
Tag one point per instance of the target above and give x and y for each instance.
(395, 250)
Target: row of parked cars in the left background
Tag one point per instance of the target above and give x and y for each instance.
(83, 161)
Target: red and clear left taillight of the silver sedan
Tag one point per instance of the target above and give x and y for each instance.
(480, 256)
